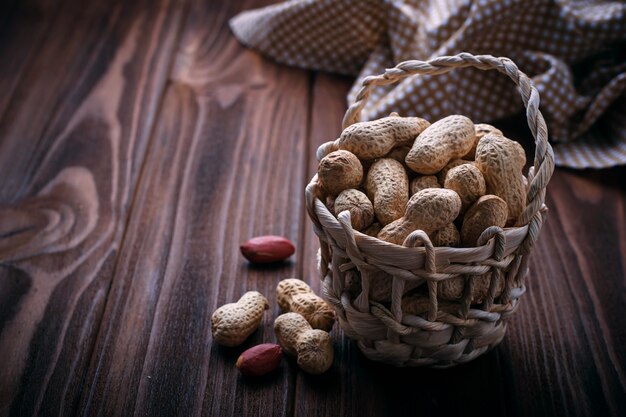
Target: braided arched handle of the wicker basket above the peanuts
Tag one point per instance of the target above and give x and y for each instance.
(543, 165)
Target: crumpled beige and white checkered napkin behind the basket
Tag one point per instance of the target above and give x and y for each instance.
(575, 51)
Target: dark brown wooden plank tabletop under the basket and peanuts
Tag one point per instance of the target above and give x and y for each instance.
(140, 144)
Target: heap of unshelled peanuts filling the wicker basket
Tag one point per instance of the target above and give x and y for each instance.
(452, 179)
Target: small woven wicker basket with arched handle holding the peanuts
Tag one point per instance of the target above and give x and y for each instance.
(436, 337)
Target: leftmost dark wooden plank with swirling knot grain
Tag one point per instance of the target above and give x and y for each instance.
(71, 146)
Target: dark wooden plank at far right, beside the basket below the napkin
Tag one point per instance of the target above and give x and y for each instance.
(567, 338)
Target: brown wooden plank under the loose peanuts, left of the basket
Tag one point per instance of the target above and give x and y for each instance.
(226, 163)
